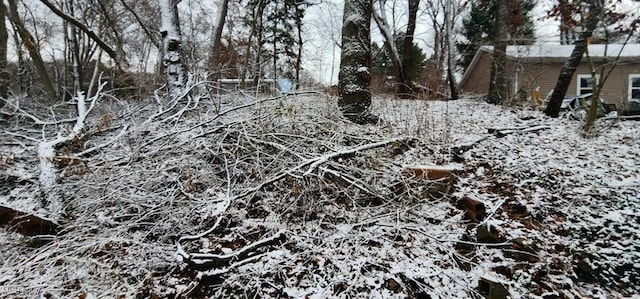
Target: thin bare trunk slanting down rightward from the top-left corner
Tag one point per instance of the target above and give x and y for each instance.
(30, 43)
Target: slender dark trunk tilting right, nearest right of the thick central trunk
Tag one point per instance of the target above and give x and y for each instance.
(404, 90)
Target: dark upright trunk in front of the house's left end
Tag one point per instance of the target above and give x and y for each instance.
(498, 82)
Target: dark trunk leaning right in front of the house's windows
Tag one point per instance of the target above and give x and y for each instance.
(570, 66)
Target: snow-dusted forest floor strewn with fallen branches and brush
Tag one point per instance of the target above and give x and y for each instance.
(253, 197)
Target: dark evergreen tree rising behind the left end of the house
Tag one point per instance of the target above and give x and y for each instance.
(479, 26)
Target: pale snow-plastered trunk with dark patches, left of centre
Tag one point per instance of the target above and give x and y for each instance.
(173, 59)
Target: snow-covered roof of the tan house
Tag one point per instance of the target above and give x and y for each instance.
(547, 53)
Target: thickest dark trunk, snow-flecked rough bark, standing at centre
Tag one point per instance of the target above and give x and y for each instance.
(355, 64)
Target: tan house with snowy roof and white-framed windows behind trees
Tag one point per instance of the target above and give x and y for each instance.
(538, 66)
